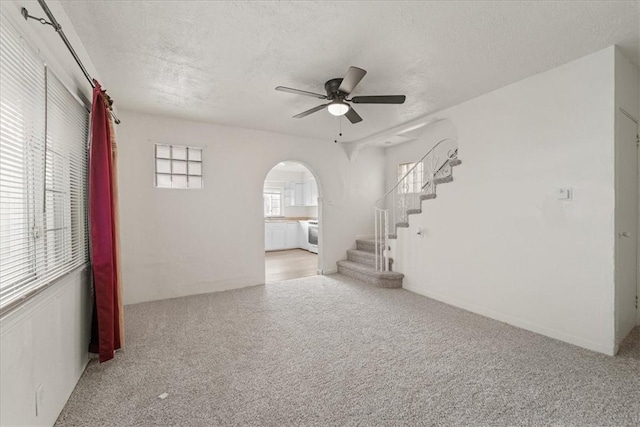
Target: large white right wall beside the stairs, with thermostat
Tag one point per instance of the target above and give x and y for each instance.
(498, 242)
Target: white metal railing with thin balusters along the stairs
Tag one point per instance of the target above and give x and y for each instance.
(405, 198)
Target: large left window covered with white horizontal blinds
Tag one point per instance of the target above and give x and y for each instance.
(43, 174)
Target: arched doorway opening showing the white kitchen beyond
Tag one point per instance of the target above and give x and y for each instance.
(291, 222)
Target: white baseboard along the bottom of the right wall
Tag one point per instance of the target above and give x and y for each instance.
(551, 333)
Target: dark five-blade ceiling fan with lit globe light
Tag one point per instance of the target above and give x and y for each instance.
(337, 92)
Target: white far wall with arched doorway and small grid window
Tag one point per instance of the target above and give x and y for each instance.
(183, 242)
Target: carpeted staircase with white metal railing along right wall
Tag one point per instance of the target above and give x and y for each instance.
(370, 261)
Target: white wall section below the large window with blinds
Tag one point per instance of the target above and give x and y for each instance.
(44, 342)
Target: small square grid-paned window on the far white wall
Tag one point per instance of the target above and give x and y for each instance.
(178, 166)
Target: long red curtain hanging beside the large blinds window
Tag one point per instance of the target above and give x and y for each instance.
(106, 336)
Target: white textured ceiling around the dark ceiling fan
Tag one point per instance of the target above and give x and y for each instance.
(219, 62)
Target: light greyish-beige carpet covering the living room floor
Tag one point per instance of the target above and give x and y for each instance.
(329, 350)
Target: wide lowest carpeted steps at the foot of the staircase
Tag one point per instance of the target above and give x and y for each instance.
(361, 264)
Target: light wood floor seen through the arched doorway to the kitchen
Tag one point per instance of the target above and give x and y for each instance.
(291, 264)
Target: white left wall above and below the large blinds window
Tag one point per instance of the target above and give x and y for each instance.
(45, 341)
